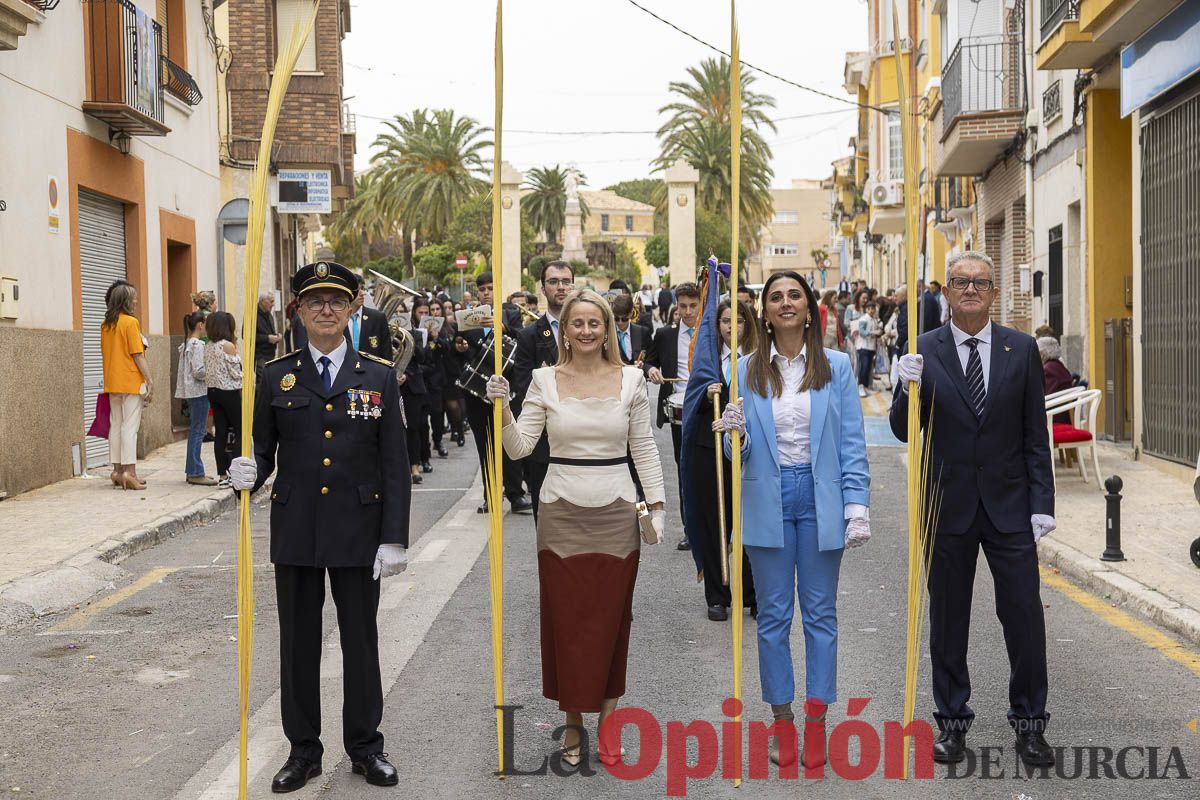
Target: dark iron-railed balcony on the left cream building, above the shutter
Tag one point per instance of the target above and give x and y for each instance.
(124, 70)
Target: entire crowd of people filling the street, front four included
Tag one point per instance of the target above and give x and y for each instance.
(347, 431)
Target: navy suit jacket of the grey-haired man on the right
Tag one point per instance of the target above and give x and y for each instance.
(1001, 460)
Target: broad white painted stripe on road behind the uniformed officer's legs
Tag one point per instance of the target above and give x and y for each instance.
(400, 635)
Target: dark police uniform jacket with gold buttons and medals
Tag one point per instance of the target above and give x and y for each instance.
(344, 485)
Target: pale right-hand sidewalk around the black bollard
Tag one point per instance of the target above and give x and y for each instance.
(1160, 519)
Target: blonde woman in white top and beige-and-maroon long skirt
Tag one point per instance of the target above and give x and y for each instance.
(597, 413)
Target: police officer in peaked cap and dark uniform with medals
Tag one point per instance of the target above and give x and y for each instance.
(329, 419)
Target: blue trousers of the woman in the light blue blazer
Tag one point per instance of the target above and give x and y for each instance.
(782, 575)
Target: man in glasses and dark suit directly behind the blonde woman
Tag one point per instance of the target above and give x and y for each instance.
(538, 347)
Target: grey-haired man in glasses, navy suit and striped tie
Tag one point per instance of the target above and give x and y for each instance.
(982, 398)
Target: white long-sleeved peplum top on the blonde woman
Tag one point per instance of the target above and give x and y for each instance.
(591, 429)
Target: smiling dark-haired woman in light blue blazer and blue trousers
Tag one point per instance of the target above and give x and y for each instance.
(806, 490)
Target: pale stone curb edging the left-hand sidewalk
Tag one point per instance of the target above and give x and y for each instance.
(94, 569)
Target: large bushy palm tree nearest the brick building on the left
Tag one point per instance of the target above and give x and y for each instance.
(430, 165)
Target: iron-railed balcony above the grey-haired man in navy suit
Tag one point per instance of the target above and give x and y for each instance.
(983, 104)
